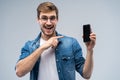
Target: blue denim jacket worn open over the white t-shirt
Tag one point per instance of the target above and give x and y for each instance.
(68, 55)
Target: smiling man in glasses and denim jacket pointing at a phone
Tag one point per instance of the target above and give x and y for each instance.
(52, 56)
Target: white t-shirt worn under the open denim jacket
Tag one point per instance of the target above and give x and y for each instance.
(47, 67)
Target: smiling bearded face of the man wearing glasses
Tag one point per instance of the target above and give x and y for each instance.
(48, 23)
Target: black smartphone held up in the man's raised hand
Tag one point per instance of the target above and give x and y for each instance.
(86, 32)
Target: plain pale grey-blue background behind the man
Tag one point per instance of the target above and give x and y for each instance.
(18, 24)
